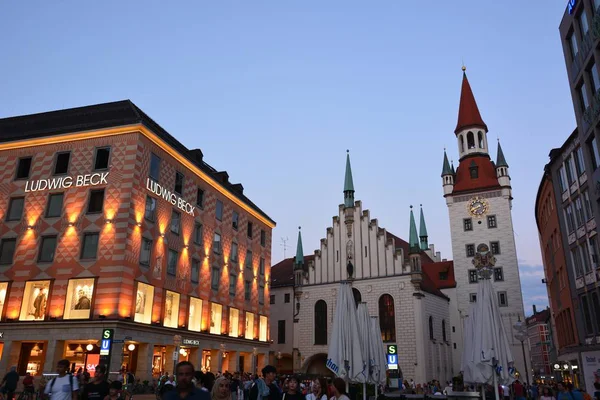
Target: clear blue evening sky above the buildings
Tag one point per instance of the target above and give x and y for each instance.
(274, 92)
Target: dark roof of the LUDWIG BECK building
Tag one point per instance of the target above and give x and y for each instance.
(109, 115)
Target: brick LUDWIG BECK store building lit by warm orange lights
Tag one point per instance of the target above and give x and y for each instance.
(108, 222)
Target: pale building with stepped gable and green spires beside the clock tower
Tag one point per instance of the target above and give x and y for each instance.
(390, 275)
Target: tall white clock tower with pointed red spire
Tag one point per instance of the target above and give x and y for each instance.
(479, 199)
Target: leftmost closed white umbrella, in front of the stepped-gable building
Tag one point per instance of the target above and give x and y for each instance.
(344, 356)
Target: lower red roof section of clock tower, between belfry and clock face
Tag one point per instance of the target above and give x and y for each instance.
(486, 174)
